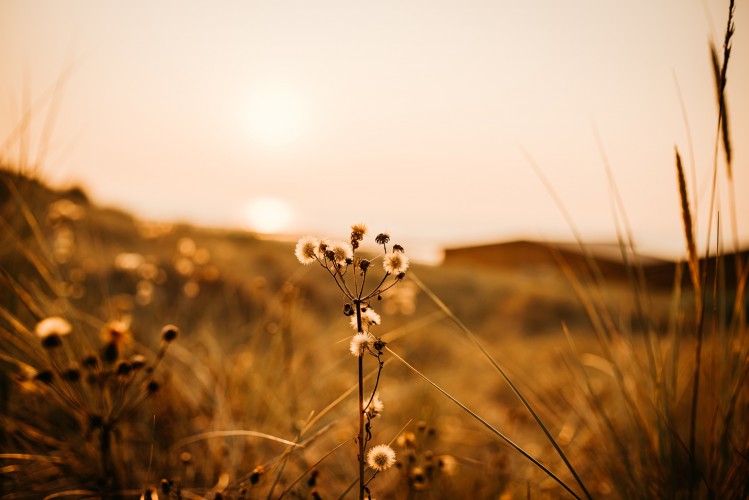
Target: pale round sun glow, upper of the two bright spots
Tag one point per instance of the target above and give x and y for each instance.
(274, 117)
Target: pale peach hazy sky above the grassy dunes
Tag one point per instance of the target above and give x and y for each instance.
(430, 120)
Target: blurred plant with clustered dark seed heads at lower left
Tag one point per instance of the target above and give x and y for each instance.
(86, 401)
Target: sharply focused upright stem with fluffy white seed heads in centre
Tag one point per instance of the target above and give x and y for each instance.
(350, 273)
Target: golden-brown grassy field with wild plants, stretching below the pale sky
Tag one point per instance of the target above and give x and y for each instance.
(140, 360)
